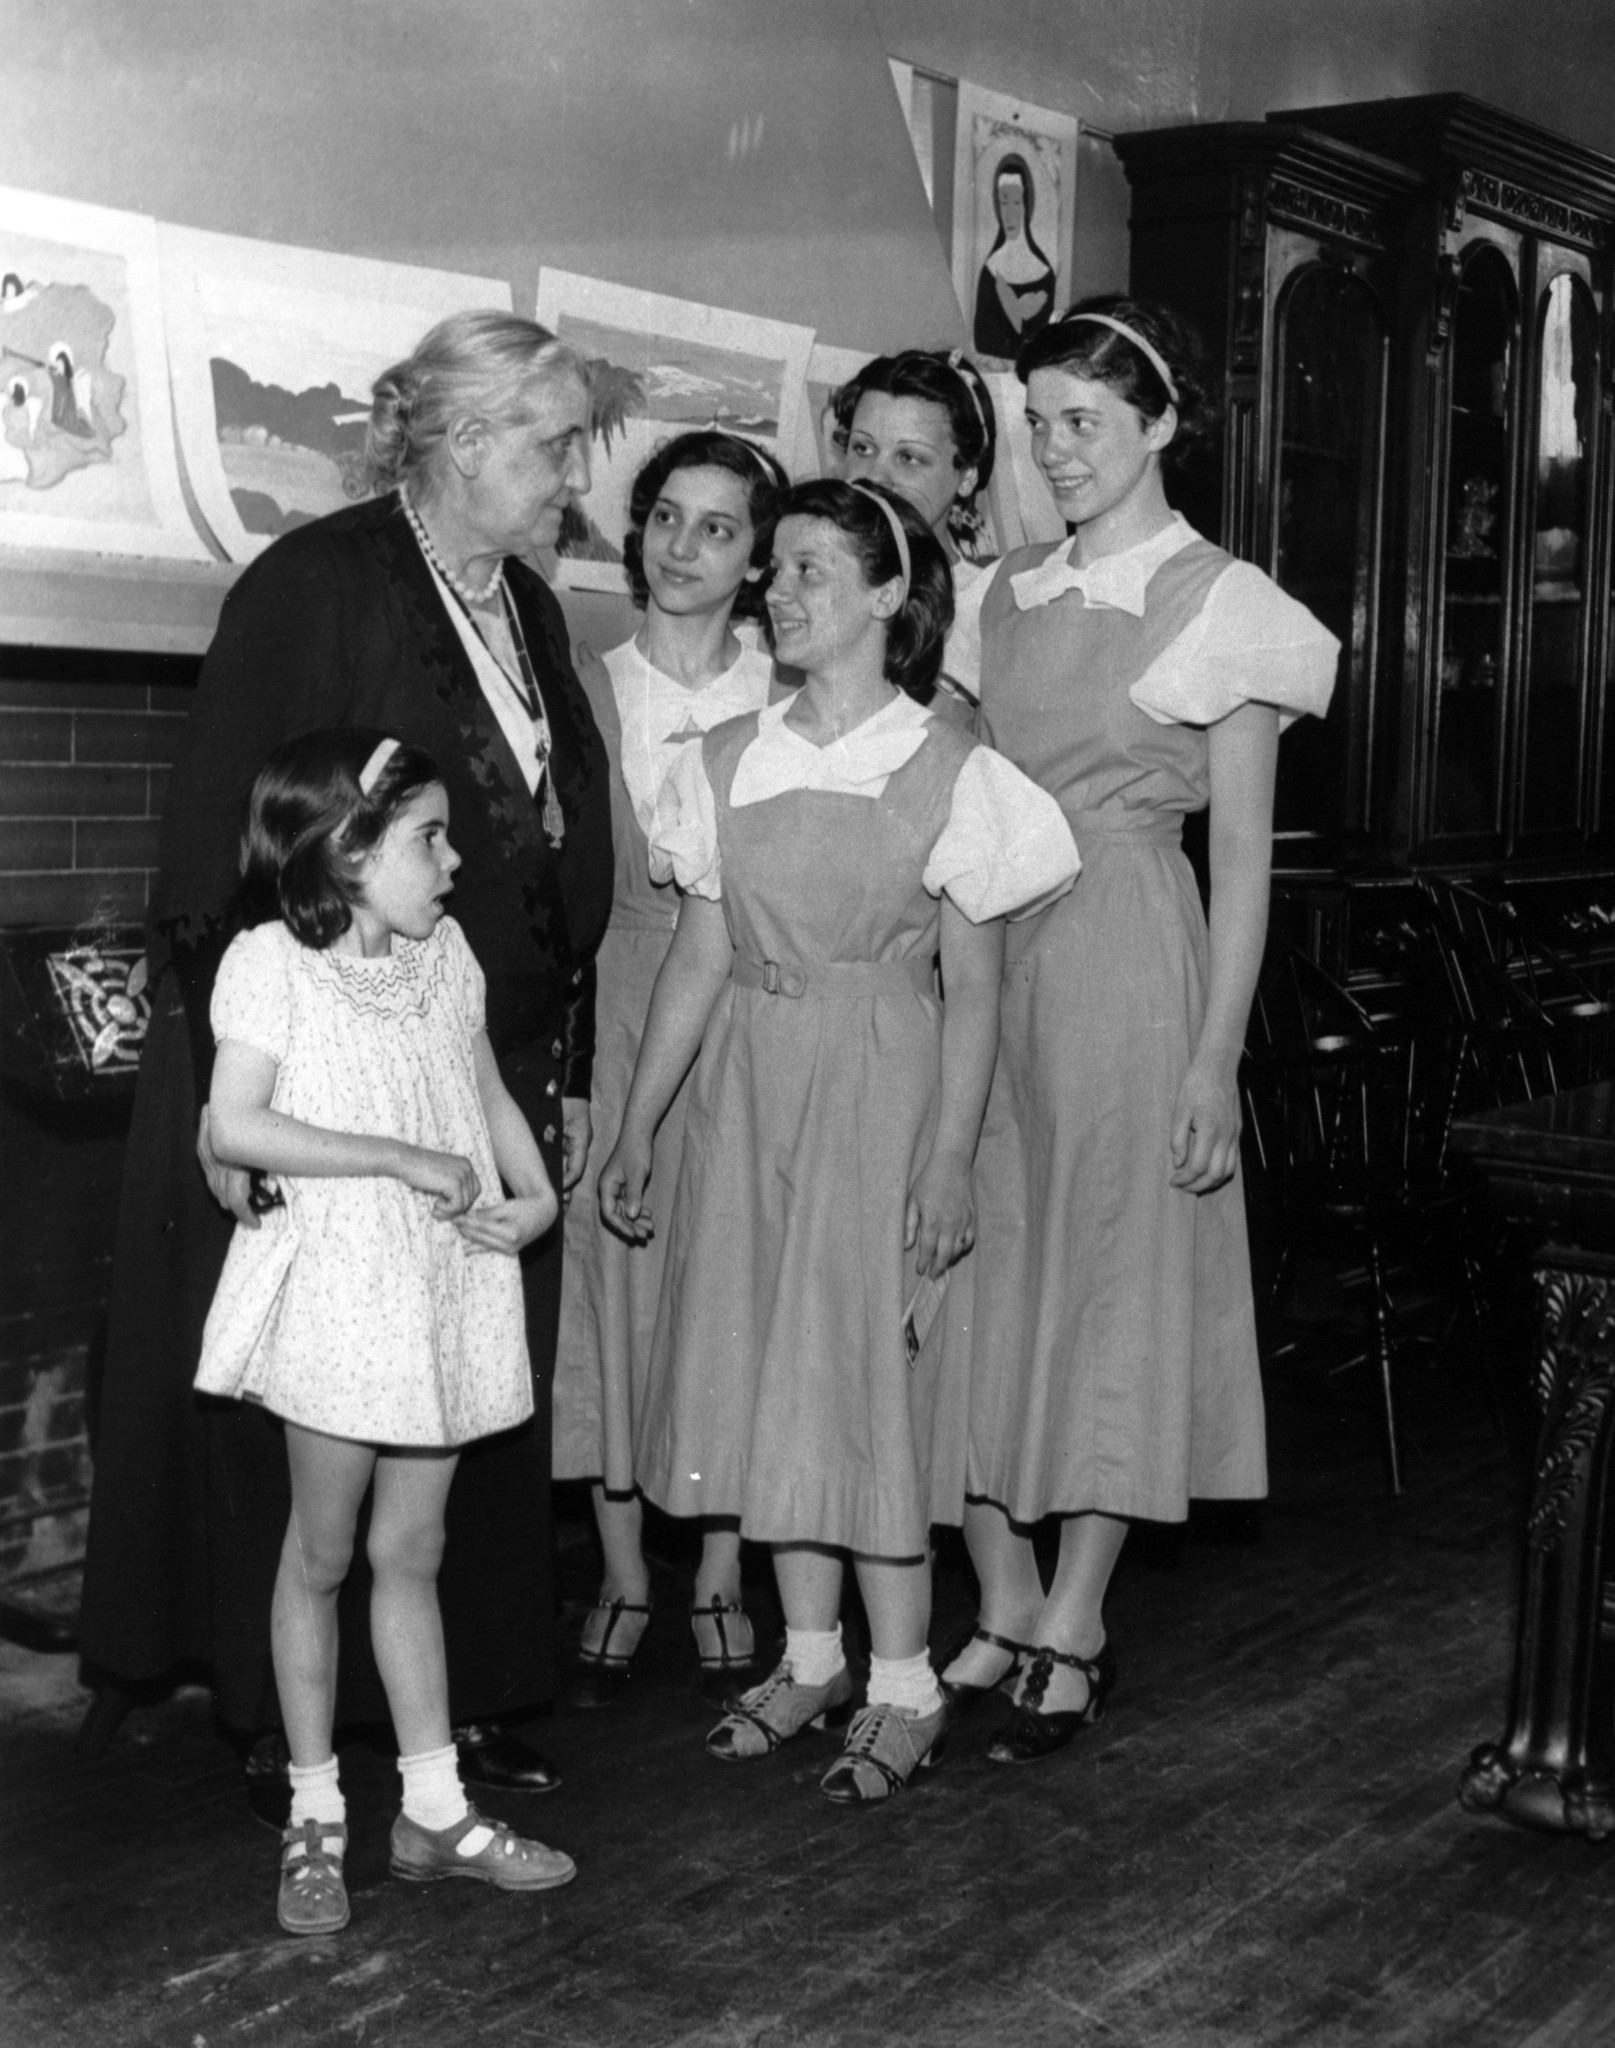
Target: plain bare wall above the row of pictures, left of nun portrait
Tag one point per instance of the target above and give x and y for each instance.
(744, 153)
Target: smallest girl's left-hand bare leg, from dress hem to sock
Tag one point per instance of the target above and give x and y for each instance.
(329, 1480)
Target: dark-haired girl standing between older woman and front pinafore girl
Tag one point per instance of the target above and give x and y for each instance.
(699, 521)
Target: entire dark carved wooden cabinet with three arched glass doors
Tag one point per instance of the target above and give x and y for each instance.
(1409, 304)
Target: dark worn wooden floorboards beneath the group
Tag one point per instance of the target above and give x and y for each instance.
(1258, 1846)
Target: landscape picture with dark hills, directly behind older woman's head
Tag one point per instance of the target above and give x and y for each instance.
(273, 357)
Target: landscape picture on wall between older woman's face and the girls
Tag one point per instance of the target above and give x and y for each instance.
(662, 368)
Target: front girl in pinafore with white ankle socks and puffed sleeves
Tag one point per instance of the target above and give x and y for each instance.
(826, 847)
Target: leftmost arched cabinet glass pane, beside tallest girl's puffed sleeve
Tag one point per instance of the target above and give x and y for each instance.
(1327, 476)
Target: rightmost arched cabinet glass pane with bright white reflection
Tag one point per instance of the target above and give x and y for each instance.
(1563, 474)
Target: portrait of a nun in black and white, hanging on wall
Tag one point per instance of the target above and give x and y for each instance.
(1014, 218)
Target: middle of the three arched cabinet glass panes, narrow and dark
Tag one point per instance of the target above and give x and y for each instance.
(1485, 353)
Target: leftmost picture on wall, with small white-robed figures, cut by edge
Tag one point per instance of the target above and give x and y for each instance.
(87, 435)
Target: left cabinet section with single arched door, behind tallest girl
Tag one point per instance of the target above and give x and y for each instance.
(1284, 249)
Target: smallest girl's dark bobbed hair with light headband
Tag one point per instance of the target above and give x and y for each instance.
(320, 804)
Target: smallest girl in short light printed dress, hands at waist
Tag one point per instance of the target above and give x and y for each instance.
(378, 1308)
